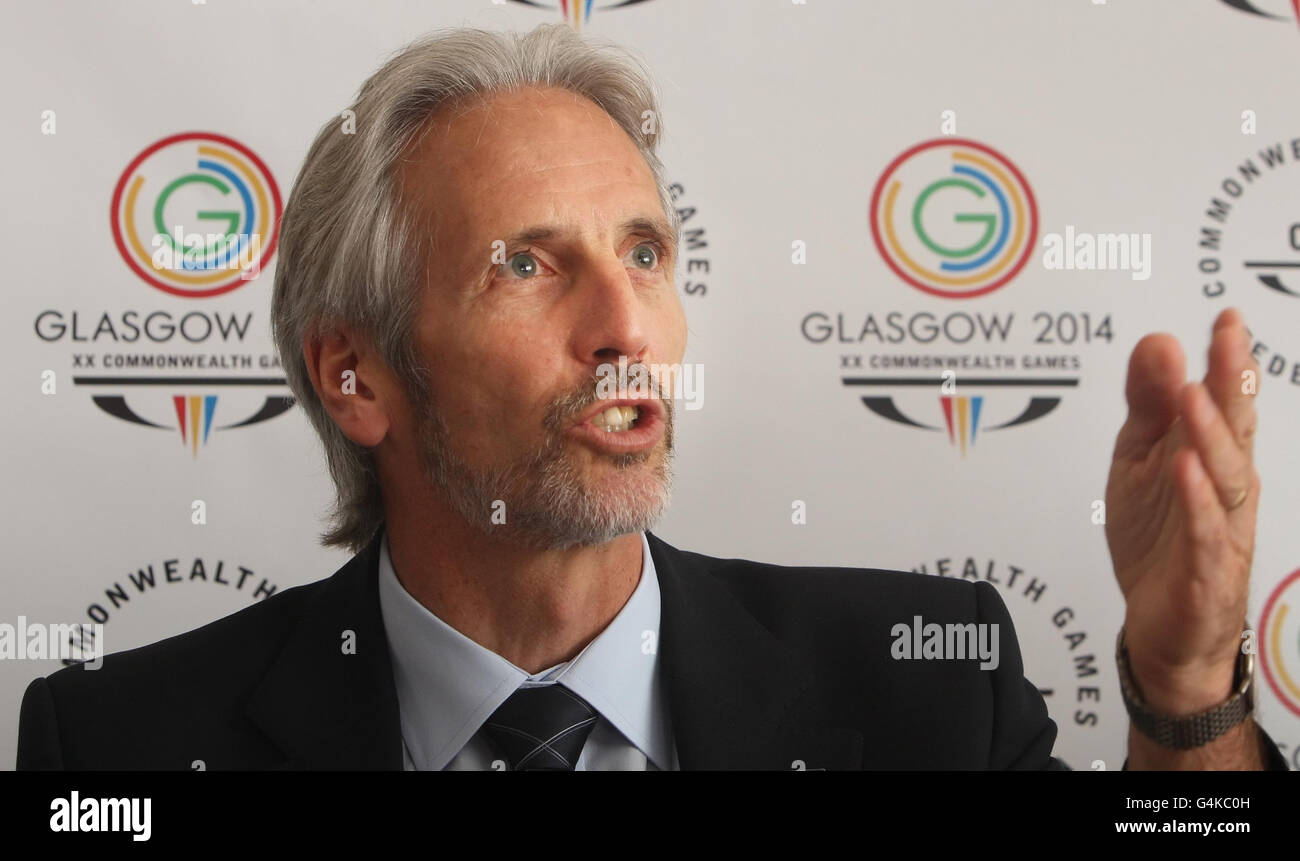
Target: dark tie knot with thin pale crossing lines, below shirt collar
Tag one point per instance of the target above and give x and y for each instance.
(541, 729)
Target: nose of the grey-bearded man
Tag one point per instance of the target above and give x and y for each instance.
(612, 321)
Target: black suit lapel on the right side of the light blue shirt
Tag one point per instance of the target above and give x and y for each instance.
(738, 698)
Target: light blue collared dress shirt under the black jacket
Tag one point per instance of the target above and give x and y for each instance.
(448, 686)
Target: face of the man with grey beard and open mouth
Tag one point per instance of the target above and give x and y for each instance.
(549, 256)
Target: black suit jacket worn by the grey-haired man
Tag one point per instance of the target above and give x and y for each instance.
(764, 667)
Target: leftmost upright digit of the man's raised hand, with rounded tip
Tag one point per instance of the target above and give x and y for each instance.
(1156, 374)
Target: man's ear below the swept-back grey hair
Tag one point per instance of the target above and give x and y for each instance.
(353, 383)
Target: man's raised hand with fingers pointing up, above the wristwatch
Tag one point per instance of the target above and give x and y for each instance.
(1180, 531)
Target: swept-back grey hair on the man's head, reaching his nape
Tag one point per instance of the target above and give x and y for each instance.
(348, 253)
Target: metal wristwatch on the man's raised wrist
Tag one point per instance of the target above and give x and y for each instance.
(1191, 732)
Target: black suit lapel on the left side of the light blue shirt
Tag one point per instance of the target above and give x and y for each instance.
(327, 708)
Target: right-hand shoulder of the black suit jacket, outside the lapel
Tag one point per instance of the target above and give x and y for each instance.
(976, 712)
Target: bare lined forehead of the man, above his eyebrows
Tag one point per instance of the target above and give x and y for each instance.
(525, 157)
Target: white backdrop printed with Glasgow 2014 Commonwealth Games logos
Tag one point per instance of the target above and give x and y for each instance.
(781, 119)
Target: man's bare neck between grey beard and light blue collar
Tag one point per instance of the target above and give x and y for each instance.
(534, 608)
